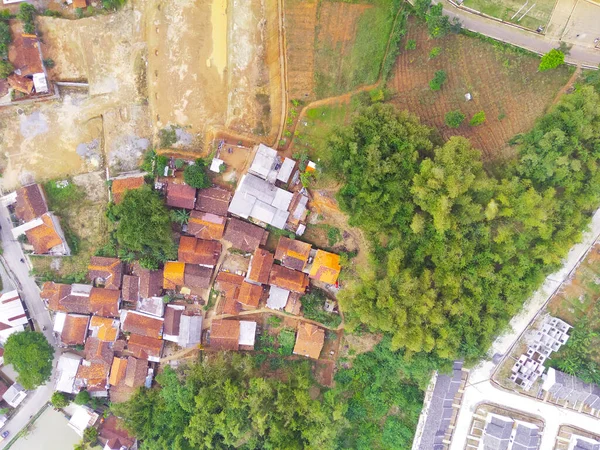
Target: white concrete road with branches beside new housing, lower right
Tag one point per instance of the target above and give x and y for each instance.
(480, 388)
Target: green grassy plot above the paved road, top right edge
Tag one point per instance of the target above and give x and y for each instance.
(527, 13)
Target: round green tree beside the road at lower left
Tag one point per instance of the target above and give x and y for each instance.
(31, 355)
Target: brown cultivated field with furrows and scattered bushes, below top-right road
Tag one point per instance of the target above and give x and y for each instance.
(505, 84)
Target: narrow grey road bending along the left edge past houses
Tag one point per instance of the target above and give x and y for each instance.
(30, 293)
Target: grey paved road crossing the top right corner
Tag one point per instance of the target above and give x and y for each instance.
(516, 36)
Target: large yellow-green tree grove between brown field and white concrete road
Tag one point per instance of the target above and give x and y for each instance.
(458, 250)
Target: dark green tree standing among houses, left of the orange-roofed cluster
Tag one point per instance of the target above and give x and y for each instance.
(144, 227)
